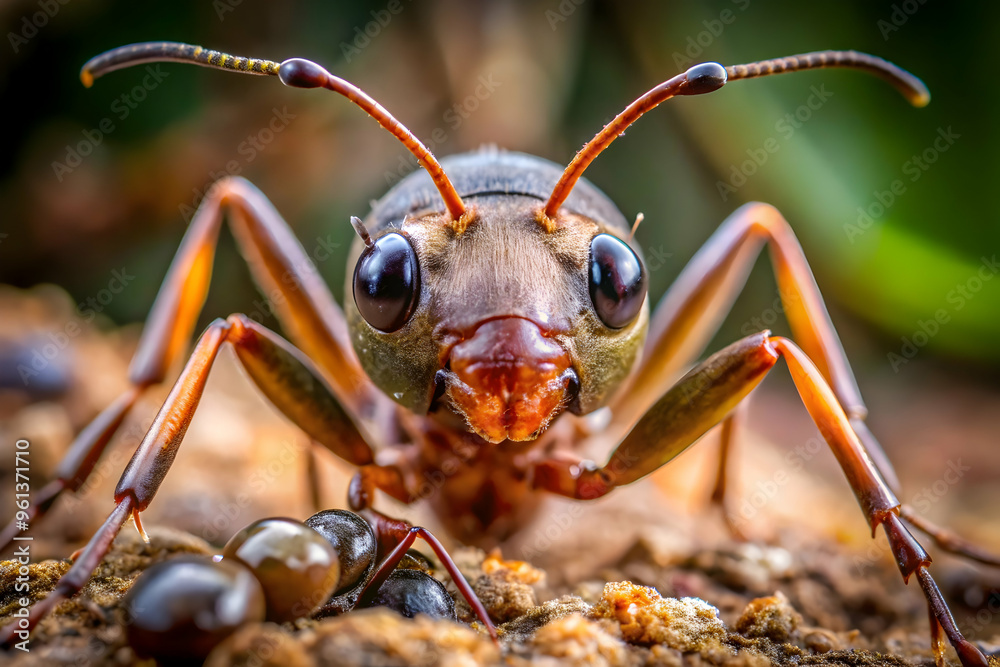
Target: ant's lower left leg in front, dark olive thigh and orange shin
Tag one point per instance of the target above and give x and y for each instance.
(282, 373)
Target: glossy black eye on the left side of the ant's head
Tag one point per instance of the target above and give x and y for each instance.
(387, 282)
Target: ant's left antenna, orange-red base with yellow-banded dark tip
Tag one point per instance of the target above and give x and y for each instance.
(296, 73)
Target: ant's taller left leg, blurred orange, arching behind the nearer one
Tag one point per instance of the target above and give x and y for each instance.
(279, 265)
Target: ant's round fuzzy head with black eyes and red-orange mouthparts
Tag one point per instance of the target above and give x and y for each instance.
(508, 322)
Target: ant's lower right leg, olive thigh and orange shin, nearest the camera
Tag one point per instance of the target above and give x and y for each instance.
(704, 397)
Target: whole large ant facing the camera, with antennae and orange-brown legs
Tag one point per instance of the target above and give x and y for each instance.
(492, 293)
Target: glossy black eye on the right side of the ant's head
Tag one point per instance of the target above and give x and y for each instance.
(617, 281)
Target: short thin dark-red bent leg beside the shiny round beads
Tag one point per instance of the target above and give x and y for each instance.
(395, 536)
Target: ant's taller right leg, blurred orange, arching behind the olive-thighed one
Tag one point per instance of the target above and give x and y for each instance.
(692, 310)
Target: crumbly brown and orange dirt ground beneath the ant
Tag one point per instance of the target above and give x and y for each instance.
(647, 576)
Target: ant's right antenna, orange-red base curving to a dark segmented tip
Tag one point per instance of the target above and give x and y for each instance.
(709, 77)
